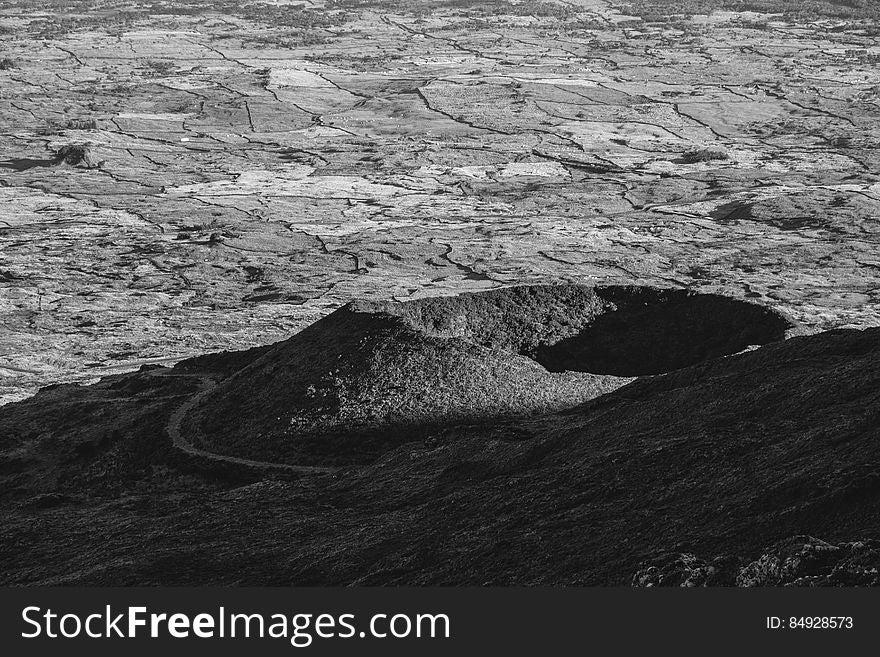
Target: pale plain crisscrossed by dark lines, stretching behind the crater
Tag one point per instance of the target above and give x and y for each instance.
(190, 176)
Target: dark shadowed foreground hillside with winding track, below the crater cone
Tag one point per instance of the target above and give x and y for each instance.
(725, 457)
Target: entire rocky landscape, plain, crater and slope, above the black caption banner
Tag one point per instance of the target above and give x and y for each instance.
(457, 292)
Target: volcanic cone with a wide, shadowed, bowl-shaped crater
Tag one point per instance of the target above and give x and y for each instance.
(371, 376)
